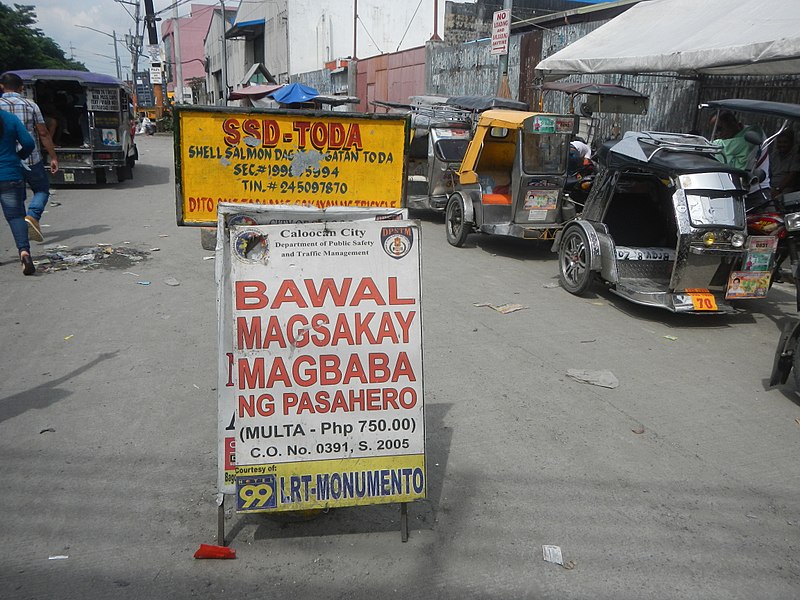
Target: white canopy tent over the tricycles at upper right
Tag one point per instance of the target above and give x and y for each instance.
(688, 37)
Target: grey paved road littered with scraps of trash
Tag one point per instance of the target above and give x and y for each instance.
(680, 483)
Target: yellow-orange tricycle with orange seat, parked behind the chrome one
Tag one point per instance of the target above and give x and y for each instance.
(511, 181)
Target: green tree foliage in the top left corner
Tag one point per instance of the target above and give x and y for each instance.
(24, 46)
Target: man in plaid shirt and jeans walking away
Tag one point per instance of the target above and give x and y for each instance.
(31, 116)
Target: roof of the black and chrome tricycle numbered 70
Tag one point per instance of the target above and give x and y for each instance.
(664, 153)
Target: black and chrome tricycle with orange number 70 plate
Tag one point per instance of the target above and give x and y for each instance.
(664, 226)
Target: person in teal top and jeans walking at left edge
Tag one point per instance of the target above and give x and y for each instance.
(16, 144)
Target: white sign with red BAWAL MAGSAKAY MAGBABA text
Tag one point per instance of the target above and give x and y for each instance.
(327, 365)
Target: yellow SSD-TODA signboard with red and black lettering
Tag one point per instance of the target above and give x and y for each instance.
(306, 158)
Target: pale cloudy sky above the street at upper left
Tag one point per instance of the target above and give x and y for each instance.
(58, 19)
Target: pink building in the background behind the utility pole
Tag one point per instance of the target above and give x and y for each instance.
(192, 31)
